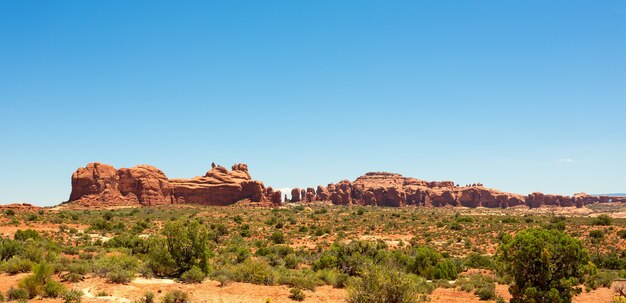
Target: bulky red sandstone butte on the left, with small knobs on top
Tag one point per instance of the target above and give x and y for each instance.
(99, 183)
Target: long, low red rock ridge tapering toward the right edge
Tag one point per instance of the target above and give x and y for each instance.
(388, 189)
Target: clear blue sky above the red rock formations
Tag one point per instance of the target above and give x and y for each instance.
(519, 95)
